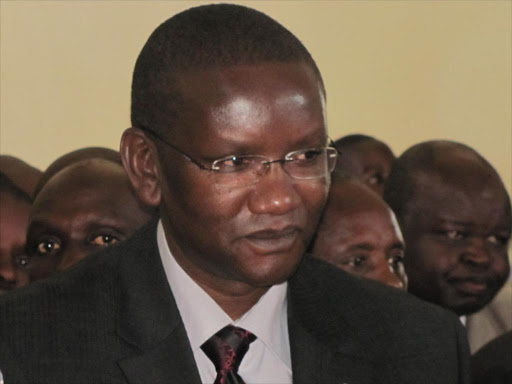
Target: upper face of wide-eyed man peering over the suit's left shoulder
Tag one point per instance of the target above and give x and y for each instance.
(80, 210)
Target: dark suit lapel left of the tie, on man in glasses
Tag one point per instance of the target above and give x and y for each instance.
(149, 319)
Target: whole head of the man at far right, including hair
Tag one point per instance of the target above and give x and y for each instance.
(455, 215)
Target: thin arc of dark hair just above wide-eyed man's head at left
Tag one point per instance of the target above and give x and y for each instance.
(75, 157)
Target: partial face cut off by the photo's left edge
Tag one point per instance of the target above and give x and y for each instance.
(13, 229)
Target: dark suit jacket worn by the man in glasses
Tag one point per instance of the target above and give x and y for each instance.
(113, 319)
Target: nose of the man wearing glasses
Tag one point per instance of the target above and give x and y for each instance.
(274, 193)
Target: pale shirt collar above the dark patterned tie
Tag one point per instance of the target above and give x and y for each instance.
(203, 317)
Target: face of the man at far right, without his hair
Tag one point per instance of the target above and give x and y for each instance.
(457, 238)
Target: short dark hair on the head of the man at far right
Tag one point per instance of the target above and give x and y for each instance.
(402, 183)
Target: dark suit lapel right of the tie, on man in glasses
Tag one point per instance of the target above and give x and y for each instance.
(323, 348)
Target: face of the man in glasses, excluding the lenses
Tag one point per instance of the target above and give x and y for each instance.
(252, 235)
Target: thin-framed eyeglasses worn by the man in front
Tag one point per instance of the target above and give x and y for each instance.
(237, 171)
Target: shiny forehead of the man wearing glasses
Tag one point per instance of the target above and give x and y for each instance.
(251, 106)
